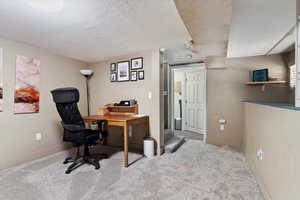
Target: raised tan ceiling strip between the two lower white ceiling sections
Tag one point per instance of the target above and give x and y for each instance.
(208, 22)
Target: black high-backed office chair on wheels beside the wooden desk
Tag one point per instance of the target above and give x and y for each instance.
(66, 100)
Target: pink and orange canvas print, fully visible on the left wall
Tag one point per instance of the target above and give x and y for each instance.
(27, 93)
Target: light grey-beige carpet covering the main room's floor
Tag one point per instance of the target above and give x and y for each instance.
(196, 171)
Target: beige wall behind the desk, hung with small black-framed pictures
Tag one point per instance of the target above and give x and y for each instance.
(103, 91)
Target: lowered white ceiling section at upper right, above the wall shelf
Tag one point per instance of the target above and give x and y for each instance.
(257, 25)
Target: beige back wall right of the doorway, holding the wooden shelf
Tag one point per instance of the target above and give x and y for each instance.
(226, 92)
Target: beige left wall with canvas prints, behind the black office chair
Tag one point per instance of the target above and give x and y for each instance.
(17, 131)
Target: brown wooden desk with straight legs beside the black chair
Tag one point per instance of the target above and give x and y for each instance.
(122, 121)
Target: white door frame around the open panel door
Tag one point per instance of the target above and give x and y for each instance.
(189, 67)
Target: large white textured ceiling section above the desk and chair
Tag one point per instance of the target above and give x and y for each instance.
(93, 30)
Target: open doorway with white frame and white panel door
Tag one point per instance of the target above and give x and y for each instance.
(188, 101)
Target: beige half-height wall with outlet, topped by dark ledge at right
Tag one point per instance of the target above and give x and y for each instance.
(276, 132)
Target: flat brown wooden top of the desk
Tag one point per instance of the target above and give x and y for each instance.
(114, 117)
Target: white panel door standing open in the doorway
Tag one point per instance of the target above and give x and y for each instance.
(195, 101)
